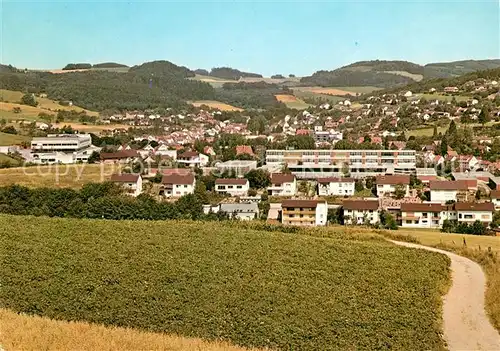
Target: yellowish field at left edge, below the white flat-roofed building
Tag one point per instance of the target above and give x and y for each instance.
(59, 176)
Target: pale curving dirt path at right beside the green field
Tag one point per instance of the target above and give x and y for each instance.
(466, 325)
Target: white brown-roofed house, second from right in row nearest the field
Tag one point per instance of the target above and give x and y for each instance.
(421, 215)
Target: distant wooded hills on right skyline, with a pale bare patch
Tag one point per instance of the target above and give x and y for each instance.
(389, 74)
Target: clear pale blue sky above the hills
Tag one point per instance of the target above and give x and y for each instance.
(267, 37)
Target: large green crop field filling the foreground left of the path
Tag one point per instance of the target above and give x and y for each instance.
(225, 281)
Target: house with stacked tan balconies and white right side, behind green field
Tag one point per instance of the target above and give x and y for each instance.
(304, 212)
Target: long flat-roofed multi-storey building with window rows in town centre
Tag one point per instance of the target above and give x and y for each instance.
(313, 164)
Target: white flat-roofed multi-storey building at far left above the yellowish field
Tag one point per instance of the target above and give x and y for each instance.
(62, 148)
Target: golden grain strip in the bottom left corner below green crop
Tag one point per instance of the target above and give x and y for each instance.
(23, 332)
